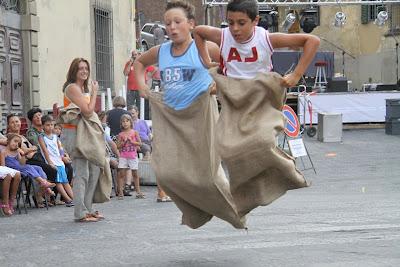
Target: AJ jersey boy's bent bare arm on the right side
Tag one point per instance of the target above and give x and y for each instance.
(308, 42)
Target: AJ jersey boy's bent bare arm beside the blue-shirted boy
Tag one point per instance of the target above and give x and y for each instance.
(201, 35)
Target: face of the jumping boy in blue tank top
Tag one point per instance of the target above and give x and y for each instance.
(178, 26)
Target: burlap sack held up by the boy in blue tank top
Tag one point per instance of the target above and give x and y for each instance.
(186, 164)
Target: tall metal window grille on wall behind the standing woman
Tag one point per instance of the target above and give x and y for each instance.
(104, 49)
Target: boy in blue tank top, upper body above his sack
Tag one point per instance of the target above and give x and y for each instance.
(183, 75)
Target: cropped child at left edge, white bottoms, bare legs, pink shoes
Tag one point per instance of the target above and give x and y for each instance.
(9, 179)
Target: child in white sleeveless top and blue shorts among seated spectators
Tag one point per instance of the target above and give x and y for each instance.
(50, 148)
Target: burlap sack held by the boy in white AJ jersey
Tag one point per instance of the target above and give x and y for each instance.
(249, 122)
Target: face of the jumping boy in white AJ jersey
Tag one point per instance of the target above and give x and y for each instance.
(240, 25)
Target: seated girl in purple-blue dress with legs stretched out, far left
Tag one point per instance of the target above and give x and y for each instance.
(13, 157)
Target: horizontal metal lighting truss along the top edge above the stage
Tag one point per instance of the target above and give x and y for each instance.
(306, 2)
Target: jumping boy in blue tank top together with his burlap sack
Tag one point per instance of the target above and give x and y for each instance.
(184, 116)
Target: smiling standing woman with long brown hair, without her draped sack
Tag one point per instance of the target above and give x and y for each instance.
(76, 90)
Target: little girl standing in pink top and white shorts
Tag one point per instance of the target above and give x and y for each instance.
(128, 141)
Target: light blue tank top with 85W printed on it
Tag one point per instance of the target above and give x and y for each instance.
(183, 77)
